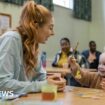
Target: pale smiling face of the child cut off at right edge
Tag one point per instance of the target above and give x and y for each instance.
(101, 67)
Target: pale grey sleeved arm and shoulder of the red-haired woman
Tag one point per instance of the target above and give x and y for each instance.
(12, 76)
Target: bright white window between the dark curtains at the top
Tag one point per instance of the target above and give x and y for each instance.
(64, 3)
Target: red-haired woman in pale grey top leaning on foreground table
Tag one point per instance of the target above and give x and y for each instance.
(19, 51)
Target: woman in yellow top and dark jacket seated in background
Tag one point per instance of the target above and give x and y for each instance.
(62, 56)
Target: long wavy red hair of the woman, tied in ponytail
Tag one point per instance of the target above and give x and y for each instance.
(32, 13)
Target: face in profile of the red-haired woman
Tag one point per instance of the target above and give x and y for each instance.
(45, 31)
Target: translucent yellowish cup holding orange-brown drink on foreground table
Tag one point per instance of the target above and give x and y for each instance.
(49, 92)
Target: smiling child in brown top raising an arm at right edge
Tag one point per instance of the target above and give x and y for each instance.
(86, 78)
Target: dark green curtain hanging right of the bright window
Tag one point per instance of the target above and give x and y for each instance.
(82, 9)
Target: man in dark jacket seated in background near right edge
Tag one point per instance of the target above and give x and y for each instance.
(92, 55)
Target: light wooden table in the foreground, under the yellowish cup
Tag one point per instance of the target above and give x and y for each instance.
(73, 96)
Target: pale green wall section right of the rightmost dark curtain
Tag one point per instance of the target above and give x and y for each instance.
(97, 27)
